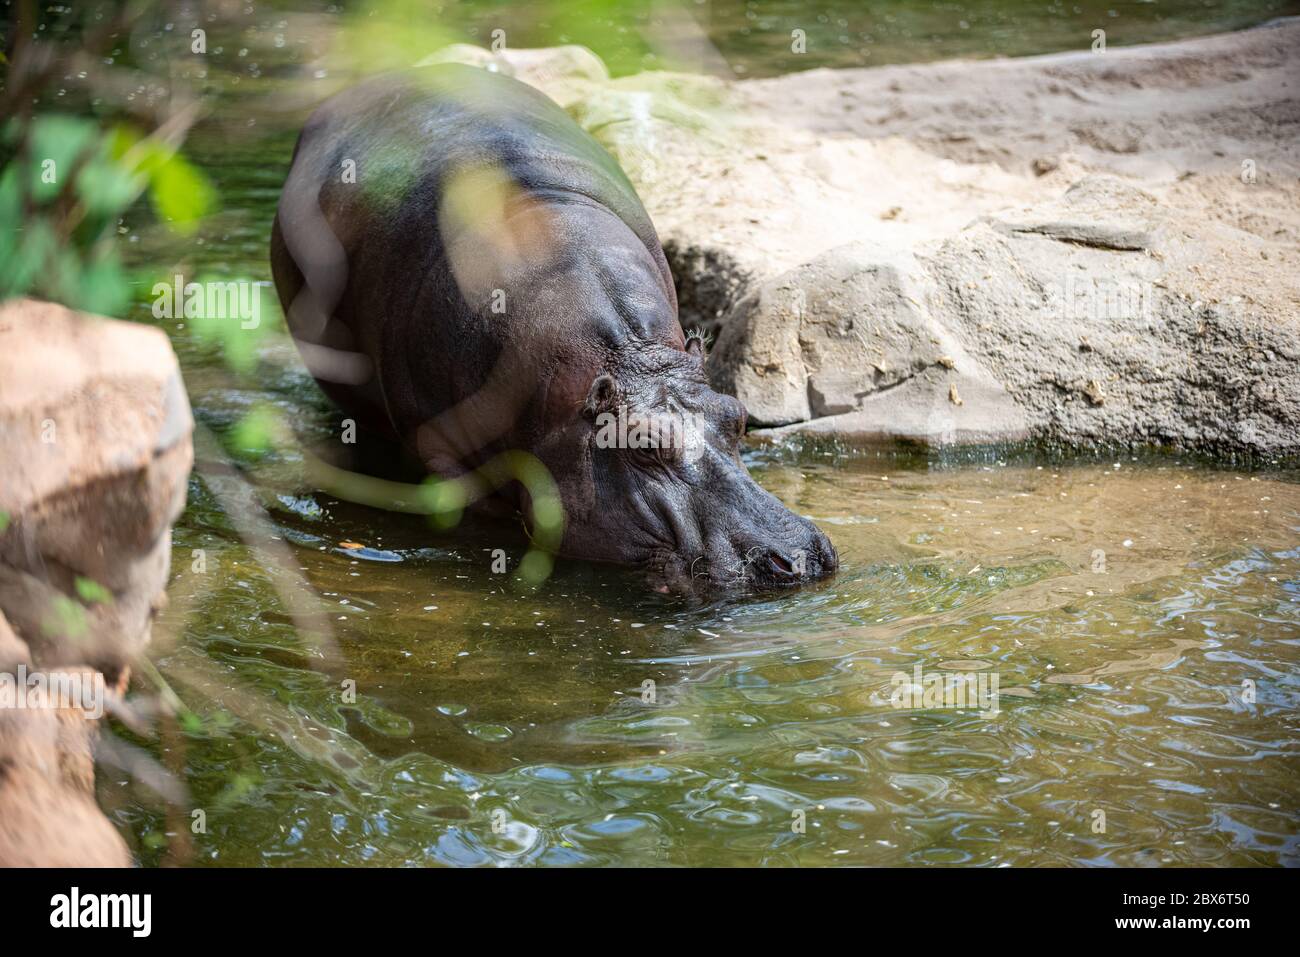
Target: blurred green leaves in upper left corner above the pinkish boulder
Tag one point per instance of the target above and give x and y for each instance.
(71, 167)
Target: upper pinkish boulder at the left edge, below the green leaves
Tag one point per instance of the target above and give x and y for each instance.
(98, 426)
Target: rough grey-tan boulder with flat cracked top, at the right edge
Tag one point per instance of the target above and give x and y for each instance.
(1091, 314)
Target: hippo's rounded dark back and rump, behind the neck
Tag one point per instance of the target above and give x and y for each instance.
(385, 308)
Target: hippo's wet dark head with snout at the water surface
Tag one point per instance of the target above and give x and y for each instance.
(662, 487)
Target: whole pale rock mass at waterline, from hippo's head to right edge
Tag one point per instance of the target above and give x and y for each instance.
(1084, 317)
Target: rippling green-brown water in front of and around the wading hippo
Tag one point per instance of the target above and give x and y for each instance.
(1142, 618)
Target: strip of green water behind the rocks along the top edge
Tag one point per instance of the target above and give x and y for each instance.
(757, 40)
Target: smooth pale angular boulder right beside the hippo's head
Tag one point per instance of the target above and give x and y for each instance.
(851, 341)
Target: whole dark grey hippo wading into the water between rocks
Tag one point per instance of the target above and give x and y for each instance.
(466, 271)
